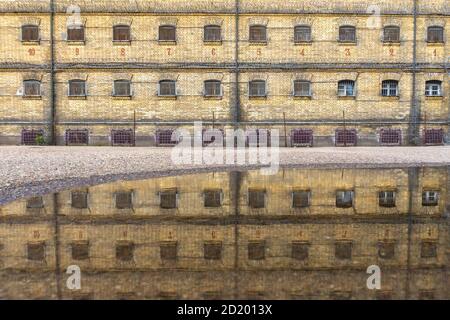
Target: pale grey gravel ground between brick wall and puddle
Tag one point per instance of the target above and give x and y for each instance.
(27, 171)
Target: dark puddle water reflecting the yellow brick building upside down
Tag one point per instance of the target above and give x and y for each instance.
(320, 251)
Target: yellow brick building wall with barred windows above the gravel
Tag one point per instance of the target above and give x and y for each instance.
(130, 72)
